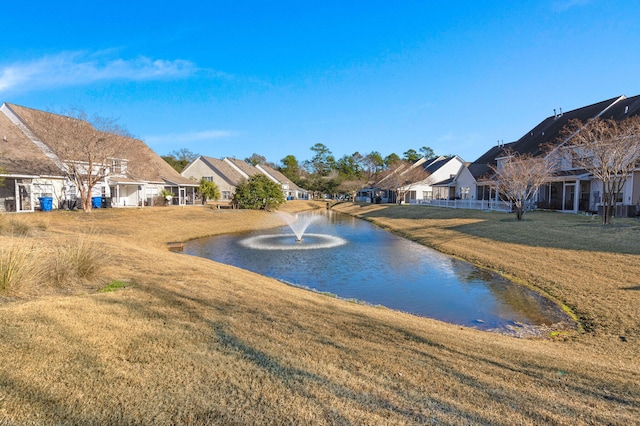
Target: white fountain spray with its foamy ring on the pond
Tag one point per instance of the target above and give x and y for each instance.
(300, 241)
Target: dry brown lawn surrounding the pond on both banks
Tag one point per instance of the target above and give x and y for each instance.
(189, 341)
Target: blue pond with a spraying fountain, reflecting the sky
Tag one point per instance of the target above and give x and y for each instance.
(354, 259)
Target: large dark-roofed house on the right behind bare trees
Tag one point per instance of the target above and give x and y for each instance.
(569, 189)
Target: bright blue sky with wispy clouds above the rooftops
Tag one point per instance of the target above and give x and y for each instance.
(233, 78)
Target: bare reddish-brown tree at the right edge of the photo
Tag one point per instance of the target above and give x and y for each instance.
(609, 150)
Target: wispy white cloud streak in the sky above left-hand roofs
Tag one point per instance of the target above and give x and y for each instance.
(80, 68)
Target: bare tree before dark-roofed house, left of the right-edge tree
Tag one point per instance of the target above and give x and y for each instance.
(519, 176)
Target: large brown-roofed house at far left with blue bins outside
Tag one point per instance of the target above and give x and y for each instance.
(35, 166)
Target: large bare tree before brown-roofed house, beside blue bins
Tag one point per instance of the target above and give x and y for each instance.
(89, 147)
